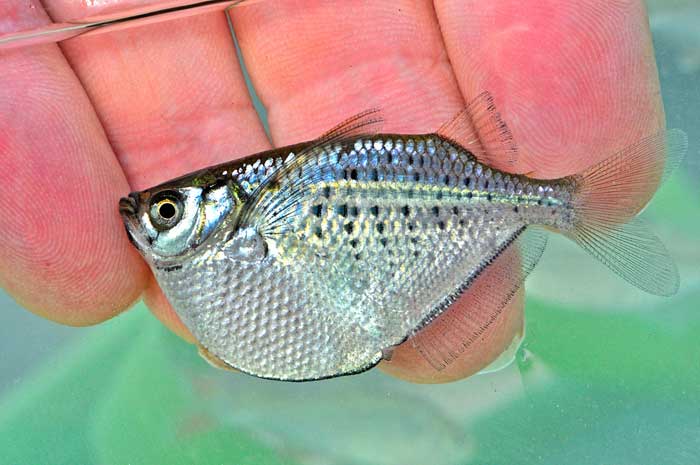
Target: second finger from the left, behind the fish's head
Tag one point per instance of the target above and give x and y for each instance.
(172, 99)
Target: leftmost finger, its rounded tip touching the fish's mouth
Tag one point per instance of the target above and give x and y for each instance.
(63, 254)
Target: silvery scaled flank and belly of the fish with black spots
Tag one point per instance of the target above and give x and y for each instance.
(335, 283)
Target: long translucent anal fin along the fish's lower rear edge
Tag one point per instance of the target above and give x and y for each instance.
(453, 331)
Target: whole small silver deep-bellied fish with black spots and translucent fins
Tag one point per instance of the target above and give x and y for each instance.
(316, 260)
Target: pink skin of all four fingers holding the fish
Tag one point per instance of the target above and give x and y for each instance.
(96, 117)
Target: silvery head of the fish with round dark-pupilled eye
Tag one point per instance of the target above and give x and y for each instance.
(170, 222)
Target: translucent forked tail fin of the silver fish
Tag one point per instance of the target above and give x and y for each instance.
(609, 195)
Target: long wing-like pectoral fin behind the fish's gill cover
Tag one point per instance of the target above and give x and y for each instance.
(273, 203)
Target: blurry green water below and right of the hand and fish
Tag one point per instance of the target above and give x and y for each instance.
(607, 374)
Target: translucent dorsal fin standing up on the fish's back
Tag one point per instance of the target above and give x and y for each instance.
(480, 129)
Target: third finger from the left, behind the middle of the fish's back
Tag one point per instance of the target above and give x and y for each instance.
(315, 66)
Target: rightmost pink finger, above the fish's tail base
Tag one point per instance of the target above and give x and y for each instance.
(575, 81)
